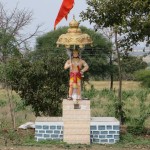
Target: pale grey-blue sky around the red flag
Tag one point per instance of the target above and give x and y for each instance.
(45, 13)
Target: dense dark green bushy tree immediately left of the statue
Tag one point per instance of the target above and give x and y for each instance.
(41, 83)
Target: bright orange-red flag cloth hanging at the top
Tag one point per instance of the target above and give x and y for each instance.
(65, 8)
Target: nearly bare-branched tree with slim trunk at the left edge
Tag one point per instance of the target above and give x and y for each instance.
(11, 42)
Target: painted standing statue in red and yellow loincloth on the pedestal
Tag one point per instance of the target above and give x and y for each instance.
(77, 67)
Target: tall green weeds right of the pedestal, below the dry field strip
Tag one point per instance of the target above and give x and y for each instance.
(135, 104)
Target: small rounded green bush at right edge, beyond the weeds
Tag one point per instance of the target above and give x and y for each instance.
(144, 77)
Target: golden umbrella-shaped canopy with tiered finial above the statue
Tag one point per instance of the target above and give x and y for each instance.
(74, 37)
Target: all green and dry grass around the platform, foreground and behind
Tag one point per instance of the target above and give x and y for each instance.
(102, 104)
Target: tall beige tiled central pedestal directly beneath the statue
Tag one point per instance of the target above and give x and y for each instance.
(76, 122)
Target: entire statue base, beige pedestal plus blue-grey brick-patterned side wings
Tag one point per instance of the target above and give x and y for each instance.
(76, 126)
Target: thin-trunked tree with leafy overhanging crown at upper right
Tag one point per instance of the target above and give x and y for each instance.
(130, 21)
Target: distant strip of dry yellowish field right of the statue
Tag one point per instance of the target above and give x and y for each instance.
(126, 85)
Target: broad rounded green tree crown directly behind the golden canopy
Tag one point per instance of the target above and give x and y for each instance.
(96, 56)
